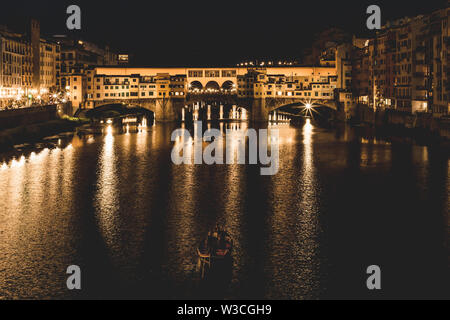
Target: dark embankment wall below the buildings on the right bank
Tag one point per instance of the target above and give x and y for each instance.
(421, 122)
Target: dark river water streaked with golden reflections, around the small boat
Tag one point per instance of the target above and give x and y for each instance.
(115, 205)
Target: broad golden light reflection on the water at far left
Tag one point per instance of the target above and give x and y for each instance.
(35, 233)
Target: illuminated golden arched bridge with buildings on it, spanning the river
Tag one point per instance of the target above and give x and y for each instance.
(172, 93)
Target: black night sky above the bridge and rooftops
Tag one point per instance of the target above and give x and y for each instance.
(207, 32)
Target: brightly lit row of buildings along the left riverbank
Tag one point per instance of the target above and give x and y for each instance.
(33, 67)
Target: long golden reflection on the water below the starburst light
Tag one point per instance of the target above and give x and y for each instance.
(294, 257)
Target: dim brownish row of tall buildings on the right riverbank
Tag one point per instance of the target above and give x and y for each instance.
(405, 67)
